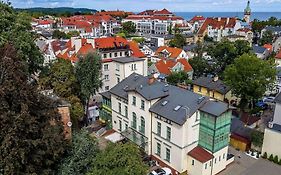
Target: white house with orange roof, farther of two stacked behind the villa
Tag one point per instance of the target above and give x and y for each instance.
(168, 53)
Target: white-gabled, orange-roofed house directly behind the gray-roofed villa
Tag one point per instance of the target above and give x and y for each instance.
(166, 67)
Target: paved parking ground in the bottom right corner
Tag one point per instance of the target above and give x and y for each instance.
(245, 165)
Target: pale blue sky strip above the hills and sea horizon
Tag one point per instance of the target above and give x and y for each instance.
(173, 5)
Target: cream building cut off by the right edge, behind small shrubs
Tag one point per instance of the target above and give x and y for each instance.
(272, 134)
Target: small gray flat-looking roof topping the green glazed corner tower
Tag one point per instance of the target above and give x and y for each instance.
(215, 108)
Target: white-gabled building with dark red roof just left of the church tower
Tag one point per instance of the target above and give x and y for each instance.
(218, 28)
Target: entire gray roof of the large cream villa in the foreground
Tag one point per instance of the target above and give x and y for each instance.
(174, 96)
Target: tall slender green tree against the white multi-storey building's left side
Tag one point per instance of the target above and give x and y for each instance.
(88, 73)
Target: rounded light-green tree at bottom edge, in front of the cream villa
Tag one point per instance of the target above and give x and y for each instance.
(119, 158)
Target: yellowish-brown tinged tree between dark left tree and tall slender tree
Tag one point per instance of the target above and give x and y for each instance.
(62, 79)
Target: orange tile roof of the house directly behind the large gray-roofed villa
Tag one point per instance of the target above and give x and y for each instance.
(165, 66)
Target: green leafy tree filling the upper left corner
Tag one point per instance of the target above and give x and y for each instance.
(15, 28)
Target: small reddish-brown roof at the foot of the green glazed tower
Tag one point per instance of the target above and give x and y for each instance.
(200, 154)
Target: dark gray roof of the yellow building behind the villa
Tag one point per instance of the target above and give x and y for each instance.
(208, 82)
